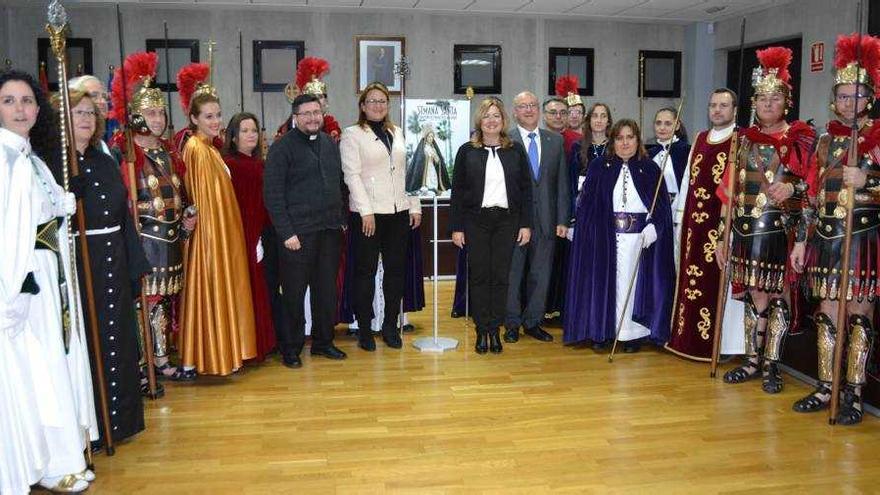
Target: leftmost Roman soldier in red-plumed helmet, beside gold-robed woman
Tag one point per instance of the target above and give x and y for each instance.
(160, 197)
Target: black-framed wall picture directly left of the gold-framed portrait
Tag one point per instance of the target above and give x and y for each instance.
(275, 63)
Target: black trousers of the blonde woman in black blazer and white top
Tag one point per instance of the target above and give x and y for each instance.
(490, 238)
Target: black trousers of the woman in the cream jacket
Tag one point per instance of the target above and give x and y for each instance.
(390, 240)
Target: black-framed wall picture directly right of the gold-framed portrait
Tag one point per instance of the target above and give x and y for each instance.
(477, 67)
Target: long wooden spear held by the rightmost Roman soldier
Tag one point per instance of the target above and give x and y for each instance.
(843, 287)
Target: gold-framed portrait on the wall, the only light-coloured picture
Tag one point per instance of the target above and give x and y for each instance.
(375, 59)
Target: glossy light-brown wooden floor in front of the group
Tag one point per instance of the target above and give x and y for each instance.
(538, 418)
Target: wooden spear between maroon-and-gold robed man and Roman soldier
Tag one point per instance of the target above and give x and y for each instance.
(721, 301)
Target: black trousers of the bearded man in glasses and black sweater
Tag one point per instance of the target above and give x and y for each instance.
(313, 265)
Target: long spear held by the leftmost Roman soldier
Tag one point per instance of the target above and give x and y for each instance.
(128, 167)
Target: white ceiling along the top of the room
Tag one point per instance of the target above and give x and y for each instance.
(683, 11)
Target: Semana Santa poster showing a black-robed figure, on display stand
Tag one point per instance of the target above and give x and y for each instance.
(434, 131)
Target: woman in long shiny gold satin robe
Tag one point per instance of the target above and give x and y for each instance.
(217, 323)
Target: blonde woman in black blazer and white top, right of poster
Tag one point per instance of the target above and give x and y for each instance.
(491, 208)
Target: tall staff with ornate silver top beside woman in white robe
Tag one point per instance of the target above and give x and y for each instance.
(57, 28)
